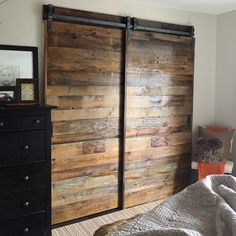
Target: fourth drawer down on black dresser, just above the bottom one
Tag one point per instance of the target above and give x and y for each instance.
(17, 204)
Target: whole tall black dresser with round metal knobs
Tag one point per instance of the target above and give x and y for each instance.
(25, 171)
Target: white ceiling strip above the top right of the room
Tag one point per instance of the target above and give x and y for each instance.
(205, 6)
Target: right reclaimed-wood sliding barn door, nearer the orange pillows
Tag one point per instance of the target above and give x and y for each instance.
(158, 119)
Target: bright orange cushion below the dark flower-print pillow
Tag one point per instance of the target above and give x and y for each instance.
(205, 169)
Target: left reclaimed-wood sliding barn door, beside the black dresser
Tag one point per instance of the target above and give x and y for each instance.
(83, 68)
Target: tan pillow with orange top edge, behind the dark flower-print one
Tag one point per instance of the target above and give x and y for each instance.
(225, 135)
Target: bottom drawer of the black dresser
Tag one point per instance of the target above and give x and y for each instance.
(34, 225)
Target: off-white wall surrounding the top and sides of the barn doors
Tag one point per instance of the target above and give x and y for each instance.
(21, 24)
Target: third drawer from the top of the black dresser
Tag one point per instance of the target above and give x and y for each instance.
(30, 175)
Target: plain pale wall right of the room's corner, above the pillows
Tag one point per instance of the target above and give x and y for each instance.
(225, 99)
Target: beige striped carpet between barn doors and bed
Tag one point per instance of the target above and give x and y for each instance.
(88, 227)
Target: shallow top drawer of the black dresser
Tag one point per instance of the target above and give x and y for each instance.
(22, 122)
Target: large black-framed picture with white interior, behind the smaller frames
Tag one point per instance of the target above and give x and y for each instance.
(17, 62)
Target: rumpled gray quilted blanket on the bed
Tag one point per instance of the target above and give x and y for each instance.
(206, 208)
